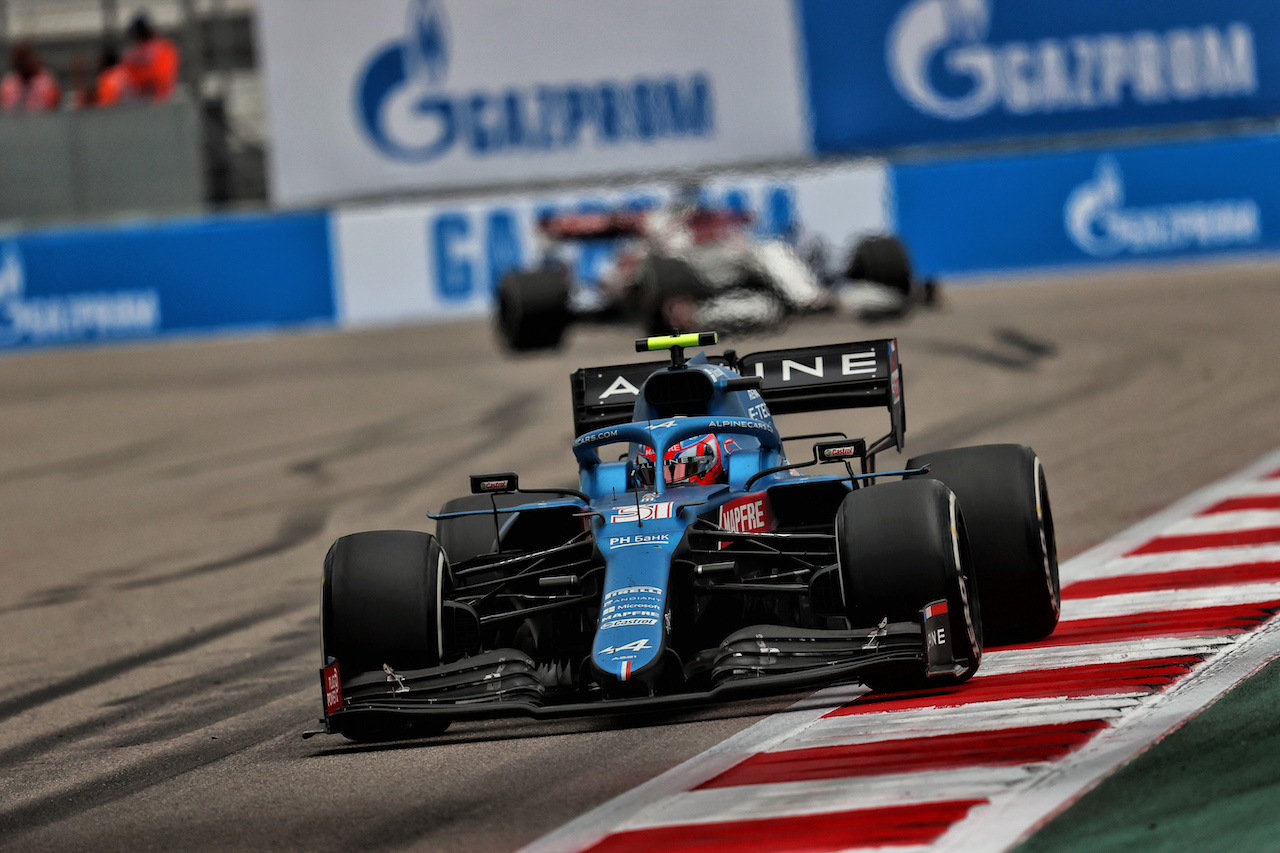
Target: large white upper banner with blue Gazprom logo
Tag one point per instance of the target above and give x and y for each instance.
(399, 95)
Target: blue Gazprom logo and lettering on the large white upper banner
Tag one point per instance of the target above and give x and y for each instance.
(409, 115)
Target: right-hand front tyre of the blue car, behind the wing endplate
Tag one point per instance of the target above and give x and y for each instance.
(902, 546)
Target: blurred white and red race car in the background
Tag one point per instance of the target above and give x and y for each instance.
(688, 267)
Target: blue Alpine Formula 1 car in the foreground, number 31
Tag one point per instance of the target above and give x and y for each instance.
(697, 562)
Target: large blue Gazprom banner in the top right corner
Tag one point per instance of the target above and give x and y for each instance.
(892, 72)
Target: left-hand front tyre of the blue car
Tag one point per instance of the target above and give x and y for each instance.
(381, 605)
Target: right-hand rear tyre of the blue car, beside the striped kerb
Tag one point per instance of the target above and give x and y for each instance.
(1005, 500)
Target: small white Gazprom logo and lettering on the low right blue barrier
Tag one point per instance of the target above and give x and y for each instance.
(1100, 225)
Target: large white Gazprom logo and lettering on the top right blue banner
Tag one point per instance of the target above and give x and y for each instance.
(1054, 75)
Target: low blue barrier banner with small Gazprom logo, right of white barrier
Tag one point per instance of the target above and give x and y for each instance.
(1109, 206)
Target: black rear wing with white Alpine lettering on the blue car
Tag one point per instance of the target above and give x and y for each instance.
(839, 376)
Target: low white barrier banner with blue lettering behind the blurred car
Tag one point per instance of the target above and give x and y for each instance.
(438, 262)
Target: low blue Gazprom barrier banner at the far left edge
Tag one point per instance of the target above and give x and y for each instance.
(92, 285)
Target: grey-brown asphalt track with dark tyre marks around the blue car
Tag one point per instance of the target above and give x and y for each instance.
(164, 512)
